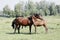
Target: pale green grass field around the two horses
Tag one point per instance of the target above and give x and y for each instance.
(53, 24)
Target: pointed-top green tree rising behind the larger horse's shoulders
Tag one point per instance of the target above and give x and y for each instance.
(30, 8)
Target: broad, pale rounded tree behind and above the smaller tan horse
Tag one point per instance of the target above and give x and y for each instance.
(43, 6)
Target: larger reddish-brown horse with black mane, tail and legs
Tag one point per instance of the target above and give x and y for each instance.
(21, 21)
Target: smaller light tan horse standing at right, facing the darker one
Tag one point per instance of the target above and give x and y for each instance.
(39, 22)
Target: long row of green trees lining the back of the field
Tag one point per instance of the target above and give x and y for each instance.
(43, 7)
